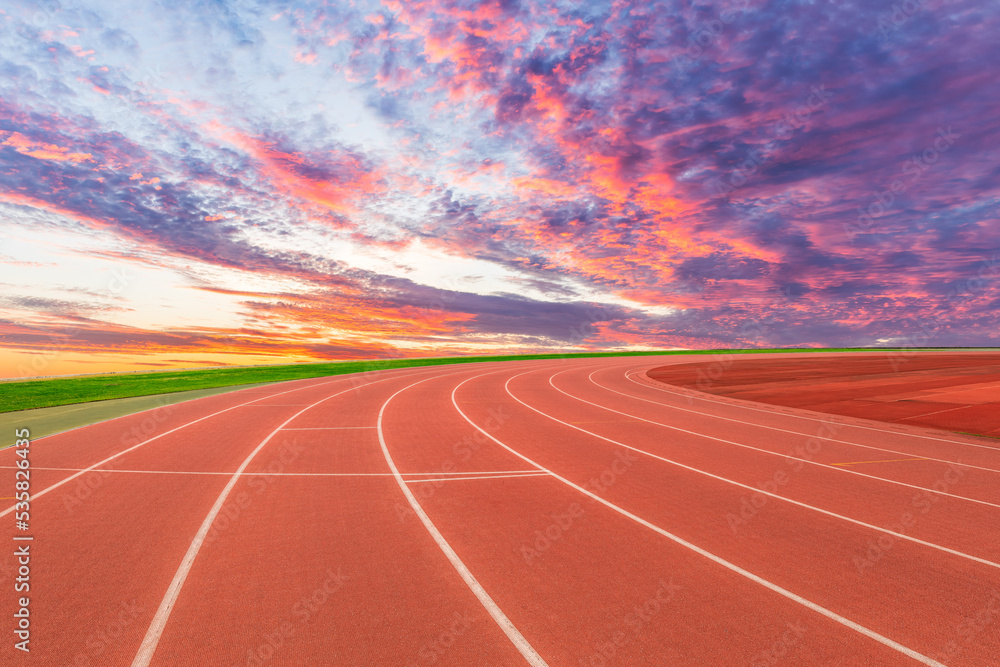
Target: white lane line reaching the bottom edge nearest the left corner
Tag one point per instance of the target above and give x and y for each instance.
(159, 622)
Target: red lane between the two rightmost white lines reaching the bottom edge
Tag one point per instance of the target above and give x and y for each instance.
(576, 601)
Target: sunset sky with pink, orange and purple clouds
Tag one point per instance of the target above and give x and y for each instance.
(192, 183)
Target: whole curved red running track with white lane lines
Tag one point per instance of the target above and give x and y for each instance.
(569, 512)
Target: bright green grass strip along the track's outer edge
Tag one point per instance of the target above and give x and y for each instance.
(49, 392)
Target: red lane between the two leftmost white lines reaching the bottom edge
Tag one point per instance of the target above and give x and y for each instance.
(288, 537)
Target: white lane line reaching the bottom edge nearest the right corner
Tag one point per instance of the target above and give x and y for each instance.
(716, 559)
